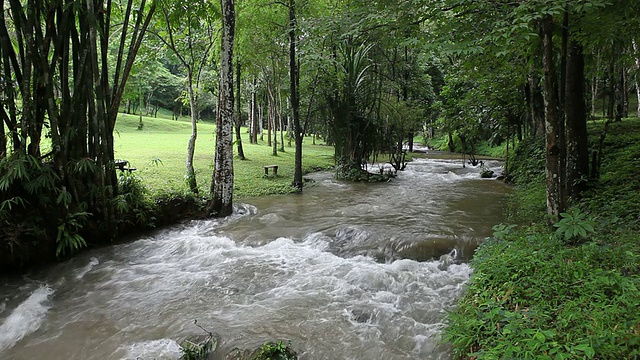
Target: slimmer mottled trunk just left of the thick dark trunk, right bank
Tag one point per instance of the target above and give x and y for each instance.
(554, 198)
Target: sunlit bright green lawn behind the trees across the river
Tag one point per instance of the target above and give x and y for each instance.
(159, 152)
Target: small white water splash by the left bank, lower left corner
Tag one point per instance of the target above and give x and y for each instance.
(26, 318)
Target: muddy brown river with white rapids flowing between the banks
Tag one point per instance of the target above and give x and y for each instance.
(346, 271)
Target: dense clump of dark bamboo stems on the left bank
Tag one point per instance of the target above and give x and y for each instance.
(55, 67)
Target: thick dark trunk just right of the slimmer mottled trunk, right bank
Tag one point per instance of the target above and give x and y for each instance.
(577, 143)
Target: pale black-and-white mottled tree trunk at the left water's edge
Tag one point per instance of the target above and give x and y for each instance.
(222, 181)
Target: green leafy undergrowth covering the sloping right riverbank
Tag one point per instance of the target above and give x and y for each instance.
(572, 291)
